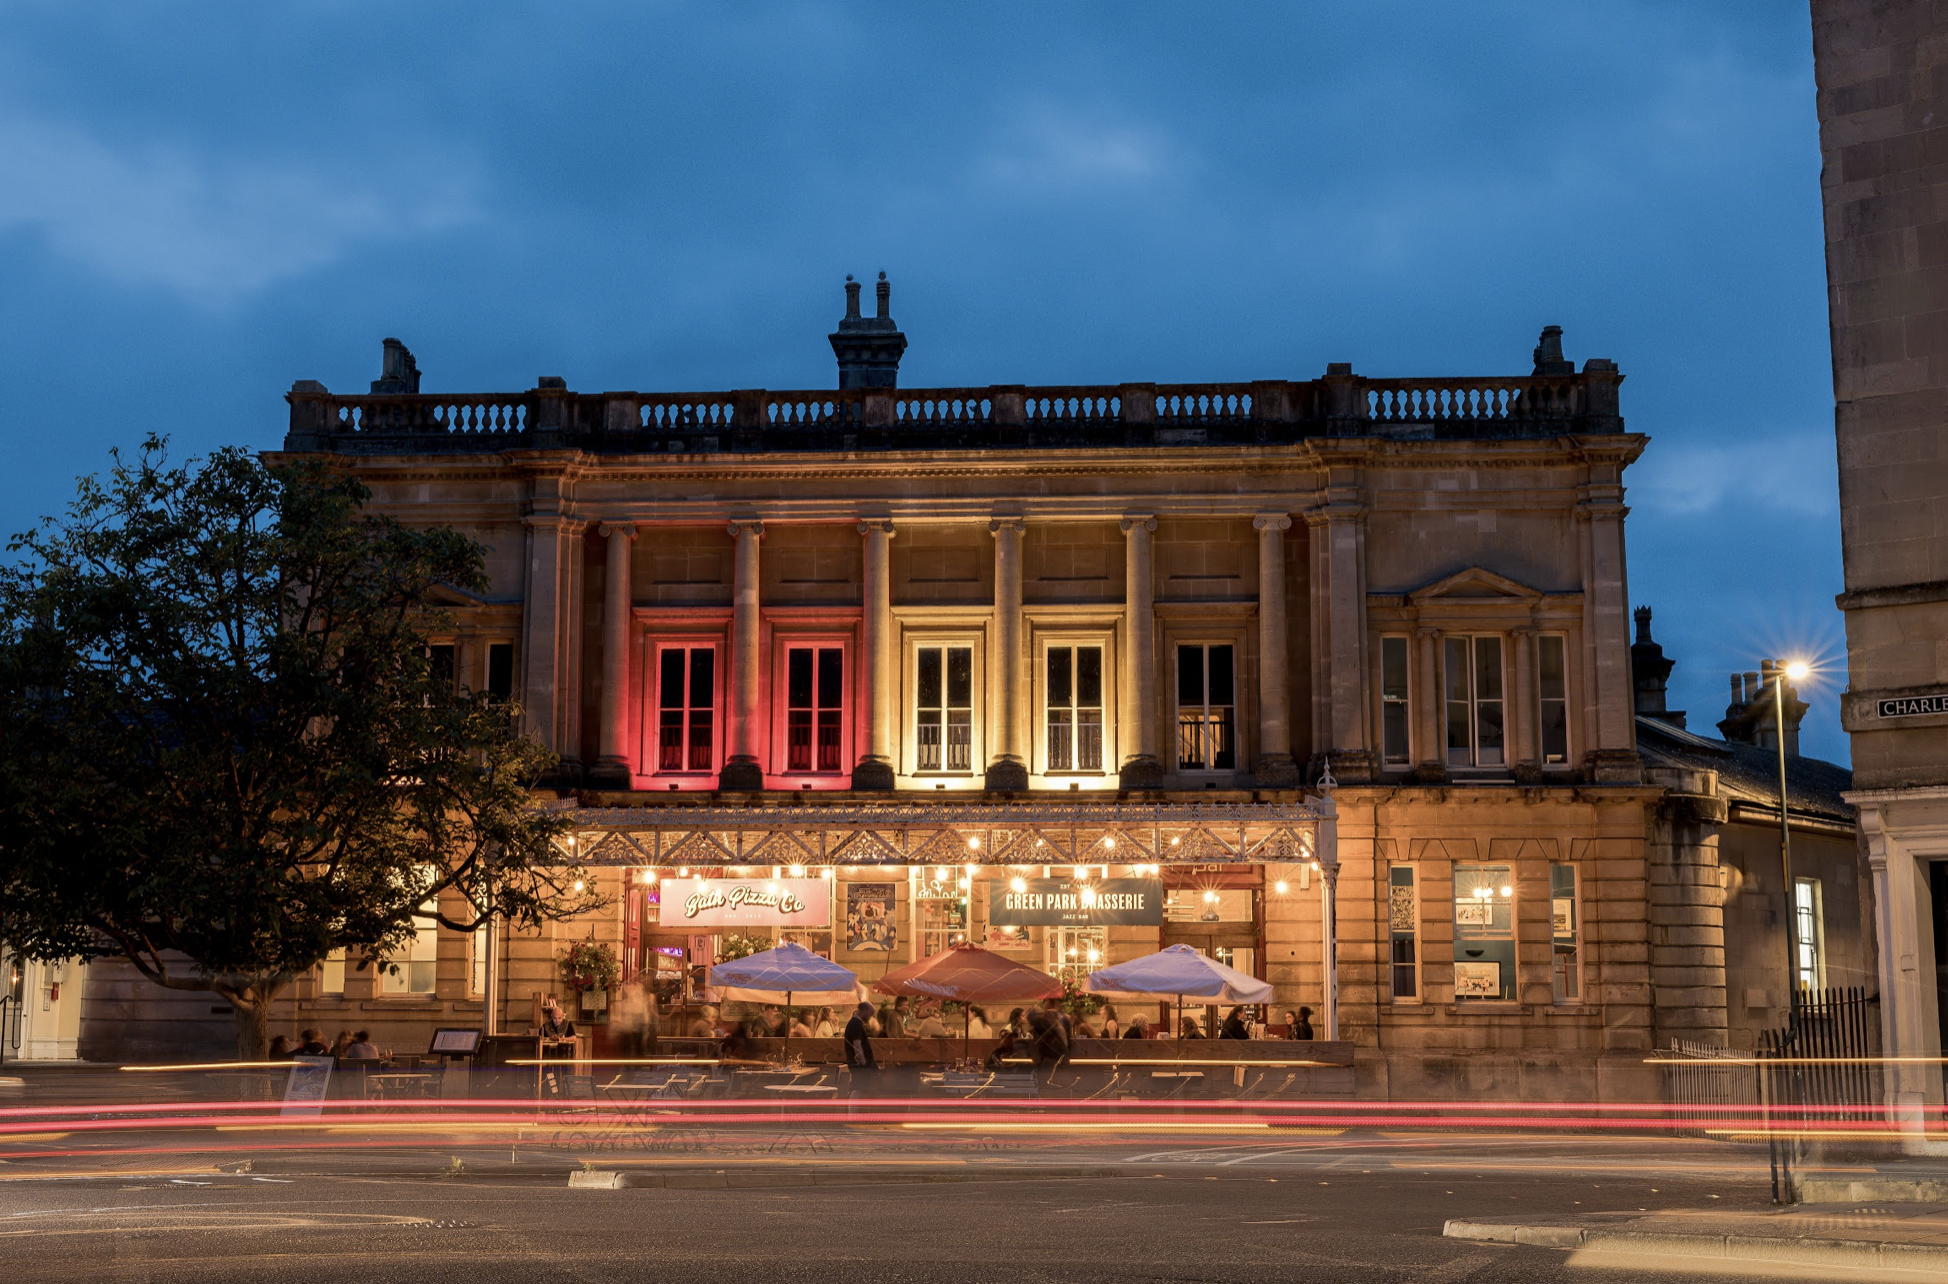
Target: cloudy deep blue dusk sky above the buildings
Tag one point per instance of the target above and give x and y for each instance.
(204, 204)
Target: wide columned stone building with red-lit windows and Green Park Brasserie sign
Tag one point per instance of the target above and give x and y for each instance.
(1240, 652)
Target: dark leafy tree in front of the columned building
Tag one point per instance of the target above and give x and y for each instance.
(227, 749)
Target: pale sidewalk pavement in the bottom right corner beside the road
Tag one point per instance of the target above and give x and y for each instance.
(1885, 1238)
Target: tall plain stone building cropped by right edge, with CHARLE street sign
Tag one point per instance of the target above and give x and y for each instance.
(1883, 73)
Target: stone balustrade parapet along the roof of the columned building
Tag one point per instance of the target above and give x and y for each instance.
(994, 418)
